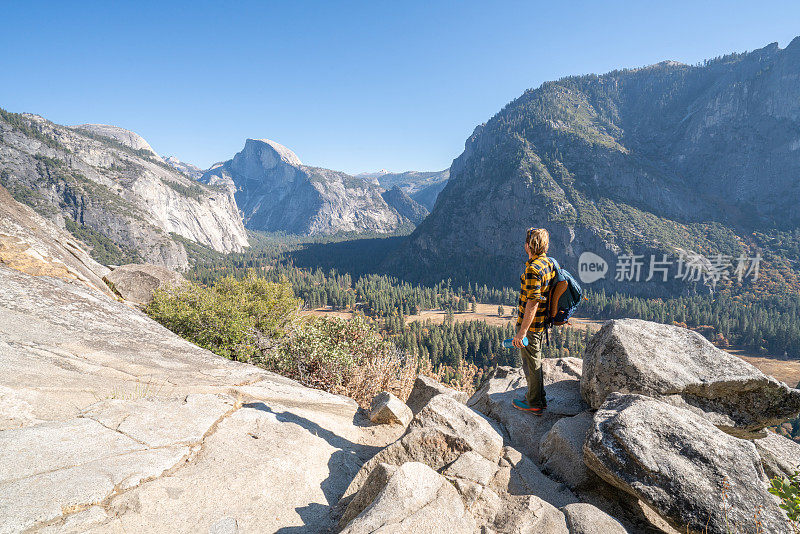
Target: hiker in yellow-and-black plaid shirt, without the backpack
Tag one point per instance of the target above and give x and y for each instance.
(535, 285)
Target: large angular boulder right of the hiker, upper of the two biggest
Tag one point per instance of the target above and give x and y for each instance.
(683, 368)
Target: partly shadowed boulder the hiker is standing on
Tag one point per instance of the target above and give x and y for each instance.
(504, 384)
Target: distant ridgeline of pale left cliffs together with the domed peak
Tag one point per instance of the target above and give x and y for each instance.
(108, 187)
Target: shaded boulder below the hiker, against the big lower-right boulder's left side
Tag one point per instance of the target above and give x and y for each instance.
(561, 450)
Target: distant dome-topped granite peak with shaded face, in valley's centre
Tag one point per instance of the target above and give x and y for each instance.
(276, 192)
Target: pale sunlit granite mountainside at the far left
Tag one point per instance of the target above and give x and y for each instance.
(111, 190)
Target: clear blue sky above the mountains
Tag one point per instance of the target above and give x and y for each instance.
(352, 86)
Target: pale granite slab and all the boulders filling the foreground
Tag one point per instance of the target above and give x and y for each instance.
(110, 423)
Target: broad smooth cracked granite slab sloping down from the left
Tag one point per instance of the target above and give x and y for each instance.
(111, 423)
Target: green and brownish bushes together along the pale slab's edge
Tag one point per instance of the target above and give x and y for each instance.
(253, 320)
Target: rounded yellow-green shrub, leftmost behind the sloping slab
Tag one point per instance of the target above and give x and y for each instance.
(236, 318)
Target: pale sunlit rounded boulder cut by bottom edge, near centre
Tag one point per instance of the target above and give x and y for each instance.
(415, 499)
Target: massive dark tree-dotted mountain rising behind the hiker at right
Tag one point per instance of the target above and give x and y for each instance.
(651, 160)
